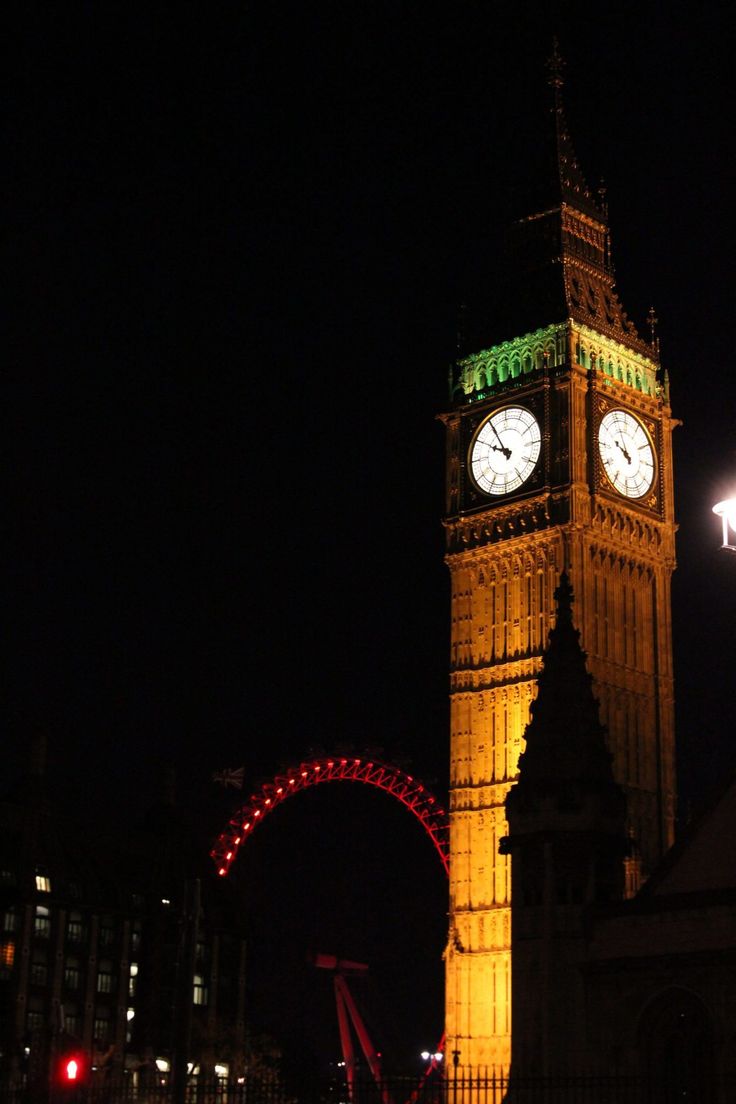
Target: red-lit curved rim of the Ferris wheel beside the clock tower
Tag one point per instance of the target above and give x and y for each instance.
(409, 791)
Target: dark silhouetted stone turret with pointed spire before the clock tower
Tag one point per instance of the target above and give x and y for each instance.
(568, 843)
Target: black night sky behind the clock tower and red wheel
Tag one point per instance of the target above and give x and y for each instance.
(238, 243)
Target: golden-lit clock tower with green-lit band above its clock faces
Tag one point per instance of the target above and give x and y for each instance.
(559, 459)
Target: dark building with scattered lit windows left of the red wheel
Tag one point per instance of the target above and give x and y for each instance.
(121, 946)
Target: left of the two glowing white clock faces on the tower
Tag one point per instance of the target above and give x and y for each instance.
(505, 451)
